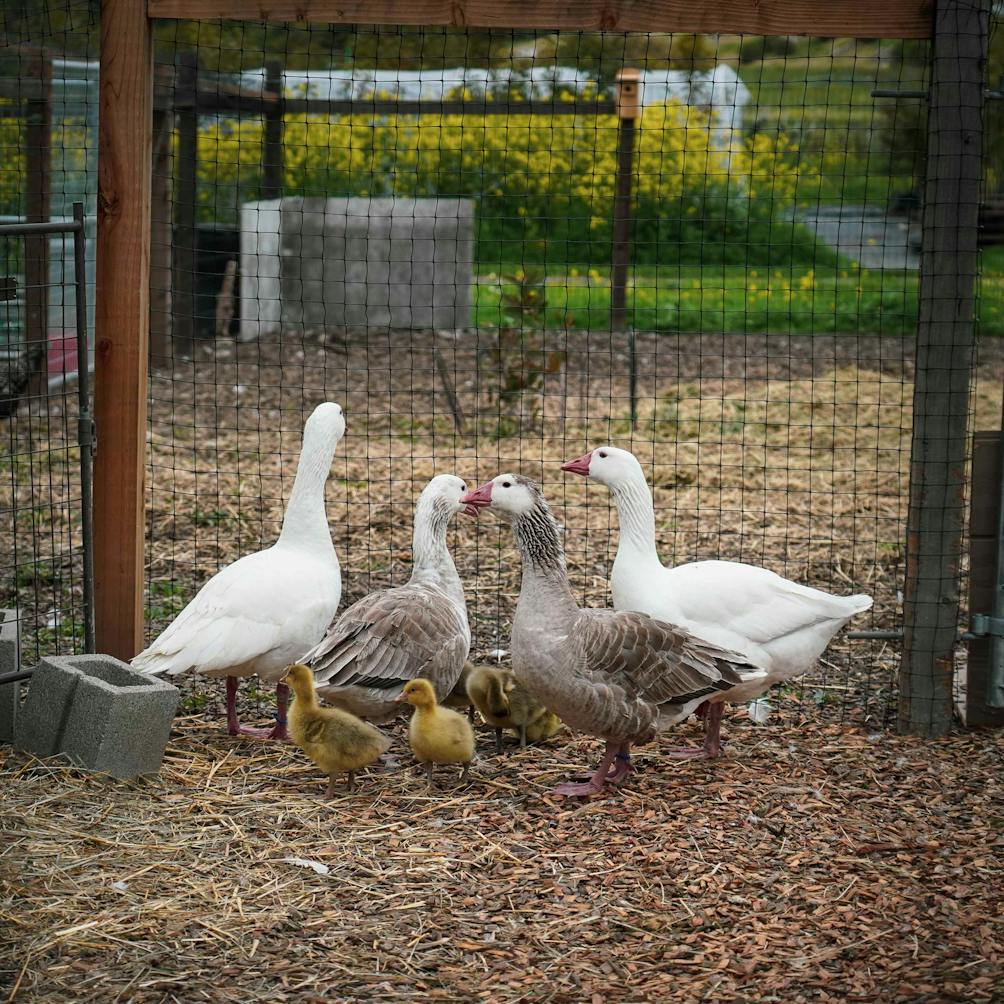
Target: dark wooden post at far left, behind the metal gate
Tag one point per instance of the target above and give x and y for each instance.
(39, 146)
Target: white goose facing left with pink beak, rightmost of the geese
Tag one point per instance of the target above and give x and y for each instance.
(778, 625)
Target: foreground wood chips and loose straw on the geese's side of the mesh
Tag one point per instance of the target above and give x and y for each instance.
(813, 863)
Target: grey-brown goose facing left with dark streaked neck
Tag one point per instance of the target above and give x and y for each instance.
(620, 676)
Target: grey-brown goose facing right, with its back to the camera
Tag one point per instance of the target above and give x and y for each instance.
(394, 636)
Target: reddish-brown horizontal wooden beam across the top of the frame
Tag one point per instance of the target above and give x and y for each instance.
(834, 19)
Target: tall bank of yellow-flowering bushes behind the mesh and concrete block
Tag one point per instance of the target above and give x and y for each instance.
(545, 184)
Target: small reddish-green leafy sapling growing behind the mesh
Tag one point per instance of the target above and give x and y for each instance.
(520, 359)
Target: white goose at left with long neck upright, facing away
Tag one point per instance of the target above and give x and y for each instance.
(260, 614)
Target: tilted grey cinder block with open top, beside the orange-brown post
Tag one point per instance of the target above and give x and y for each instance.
(100, 713)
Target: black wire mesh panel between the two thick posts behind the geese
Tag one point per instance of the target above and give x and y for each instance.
(425, 226)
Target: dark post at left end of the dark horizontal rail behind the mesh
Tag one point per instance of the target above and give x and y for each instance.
(186, 180)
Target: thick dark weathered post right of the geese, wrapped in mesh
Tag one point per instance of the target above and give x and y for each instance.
(945, 347)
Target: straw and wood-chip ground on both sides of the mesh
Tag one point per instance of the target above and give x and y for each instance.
(822, 860)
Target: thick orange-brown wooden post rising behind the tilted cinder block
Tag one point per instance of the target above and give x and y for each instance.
(122, 324)
